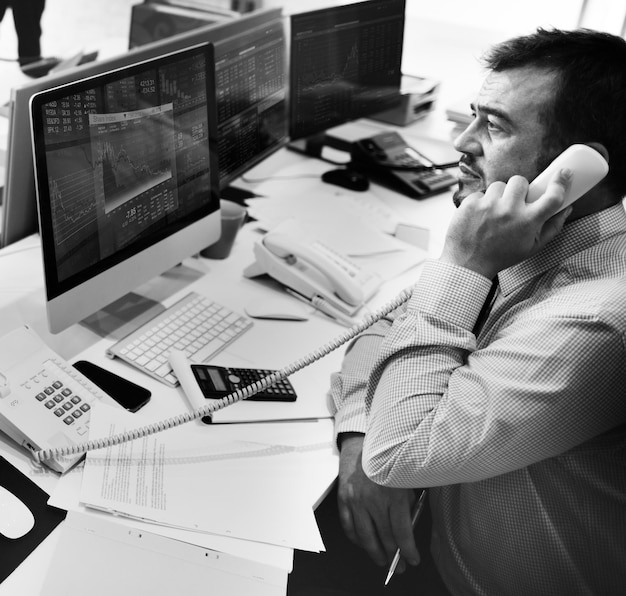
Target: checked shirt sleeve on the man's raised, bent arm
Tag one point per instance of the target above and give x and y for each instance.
(442, 412)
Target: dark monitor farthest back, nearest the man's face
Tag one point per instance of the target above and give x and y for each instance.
(345, 64)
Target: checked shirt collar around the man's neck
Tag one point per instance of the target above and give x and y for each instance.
(575, 237)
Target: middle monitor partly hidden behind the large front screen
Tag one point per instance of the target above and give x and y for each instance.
(254, 125)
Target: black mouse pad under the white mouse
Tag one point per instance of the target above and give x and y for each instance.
(13, 552)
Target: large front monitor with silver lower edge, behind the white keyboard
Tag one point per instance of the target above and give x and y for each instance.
(127, 180)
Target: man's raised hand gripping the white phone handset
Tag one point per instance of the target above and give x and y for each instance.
(498, 229)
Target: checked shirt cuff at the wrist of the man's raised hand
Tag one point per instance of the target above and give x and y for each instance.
(450, 292)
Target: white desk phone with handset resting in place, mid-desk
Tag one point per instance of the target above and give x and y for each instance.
(314, 270)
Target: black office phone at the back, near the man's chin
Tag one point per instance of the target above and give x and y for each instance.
(390, 161)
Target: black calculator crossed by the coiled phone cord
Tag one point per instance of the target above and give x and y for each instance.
(218, 381)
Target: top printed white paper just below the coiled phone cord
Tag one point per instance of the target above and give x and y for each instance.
(192, 477)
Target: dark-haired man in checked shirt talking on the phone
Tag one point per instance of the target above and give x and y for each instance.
(517, 428)
